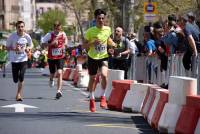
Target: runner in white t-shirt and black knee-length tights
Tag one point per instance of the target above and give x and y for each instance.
(17, 45)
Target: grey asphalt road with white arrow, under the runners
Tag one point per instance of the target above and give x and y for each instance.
(69, 115)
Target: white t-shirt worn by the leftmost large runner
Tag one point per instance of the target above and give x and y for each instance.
(23, 42)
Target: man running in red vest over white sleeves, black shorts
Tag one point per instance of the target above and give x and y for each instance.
(56, 41)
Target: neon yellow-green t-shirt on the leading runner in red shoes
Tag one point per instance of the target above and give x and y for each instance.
(102, 34)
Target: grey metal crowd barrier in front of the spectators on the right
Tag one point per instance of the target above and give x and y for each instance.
(147, 69)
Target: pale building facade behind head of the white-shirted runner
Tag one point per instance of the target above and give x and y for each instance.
(14, 10)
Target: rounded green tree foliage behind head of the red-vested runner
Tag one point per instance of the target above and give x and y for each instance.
(47, 19)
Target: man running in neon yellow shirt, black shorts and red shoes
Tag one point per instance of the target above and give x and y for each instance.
(96, 40)
